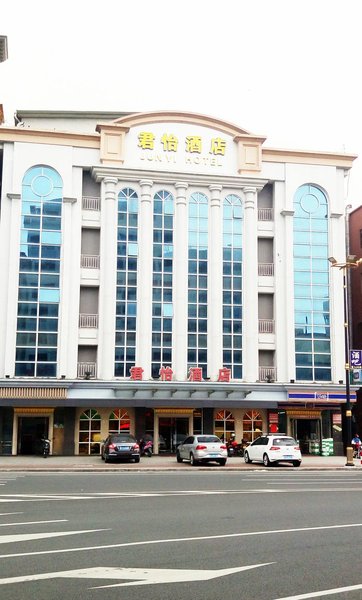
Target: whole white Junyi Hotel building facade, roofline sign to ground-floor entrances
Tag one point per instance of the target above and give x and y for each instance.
(167, 273)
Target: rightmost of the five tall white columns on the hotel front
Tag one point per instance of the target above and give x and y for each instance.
(250, 287)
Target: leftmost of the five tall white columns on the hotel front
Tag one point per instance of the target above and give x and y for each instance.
(108, 277)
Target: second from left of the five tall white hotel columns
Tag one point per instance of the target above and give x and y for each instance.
(144, 283)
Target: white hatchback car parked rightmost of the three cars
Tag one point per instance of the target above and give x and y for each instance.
(273, 449)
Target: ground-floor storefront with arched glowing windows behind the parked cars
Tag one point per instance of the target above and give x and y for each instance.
(80, 430)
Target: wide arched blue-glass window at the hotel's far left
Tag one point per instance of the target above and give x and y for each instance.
(39, 273)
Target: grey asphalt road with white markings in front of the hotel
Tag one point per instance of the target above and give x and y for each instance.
(204, 534)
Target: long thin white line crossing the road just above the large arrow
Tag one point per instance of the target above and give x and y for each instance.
(180, 540)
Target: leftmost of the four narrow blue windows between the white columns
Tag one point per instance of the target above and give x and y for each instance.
(126, 305)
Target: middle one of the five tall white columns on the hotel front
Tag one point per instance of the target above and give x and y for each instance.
(180, 284)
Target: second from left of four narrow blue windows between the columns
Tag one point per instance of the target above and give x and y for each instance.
(162, 307)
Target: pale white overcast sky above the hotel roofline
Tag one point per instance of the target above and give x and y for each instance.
(286, 69)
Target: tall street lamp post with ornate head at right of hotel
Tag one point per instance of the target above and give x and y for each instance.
(350, 263)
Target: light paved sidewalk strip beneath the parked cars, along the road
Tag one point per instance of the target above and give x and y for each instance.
(158, 463)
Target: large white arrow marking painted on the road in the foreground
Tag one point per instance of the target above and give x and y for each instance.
(141, 576)
